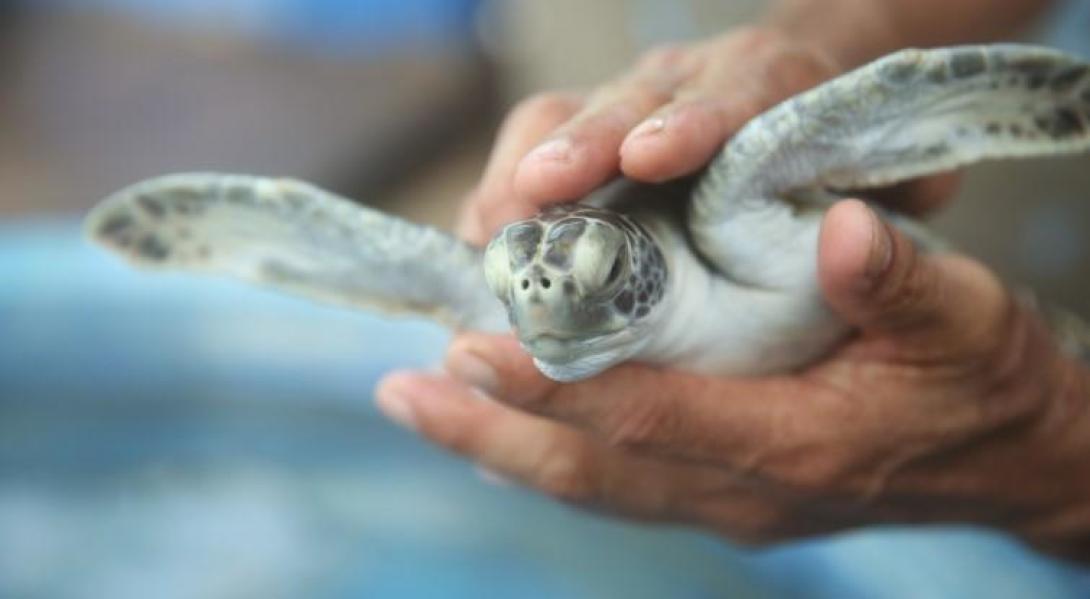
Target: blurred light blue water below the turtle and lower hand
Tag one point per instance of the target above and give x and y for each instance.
(167, 436)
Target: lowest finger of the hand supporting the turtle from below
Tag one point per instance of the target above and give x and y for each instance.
(566, 464)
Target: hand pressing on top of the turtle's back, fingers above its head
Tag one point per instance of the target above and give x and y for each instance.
(664, 119)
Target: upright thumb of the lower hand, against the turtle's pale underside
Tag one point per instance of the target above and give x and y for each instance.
(875, 278)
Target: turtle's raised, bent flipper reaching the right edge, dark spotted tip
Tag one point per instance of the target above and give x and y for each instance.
(909, 115)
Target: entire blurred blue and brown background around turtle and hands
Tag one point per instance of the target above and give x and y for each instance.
(163, 436)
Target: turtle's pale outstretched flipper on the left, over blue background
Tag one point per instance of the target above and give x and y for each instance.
(297, 238)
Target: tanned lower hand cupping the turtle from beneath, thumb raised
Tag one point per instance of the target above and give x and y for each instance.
(951, 405)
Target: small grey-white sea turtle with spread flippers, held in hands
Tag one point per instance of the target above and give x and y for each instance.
(728, 285)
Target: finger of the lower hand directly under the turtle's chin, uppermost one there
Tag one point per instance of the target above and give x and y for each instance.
(663, 413)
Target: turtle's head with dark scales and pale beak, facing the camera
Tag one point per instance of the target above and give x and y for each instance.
(580, 285)
